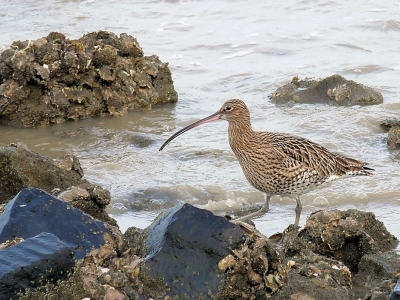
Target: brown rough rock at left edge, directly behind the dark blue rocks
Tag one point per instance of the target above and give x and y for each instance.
(21, 168)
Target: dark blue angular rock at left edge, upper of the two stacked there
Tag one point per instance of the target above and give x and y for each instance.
(33, 211)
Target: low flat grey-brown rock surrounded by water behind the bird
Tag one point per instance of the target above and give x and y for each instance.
(334, 89)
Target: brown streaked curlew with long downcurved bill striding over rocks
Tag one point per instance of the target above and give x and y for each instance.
(279, 163)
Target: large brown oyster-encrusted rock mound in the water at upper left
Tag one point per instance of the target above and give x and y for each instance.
(55, 79)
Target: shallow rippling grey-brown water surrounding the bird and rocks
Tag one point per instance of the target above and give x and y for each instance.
(220, 50)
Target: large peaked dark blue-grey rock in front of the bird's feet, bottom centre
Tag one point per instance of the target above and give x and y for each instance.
(183, 248)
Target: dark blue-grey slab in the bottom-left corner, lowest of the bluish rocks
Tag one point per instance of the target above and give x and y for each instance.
(33, 262)
